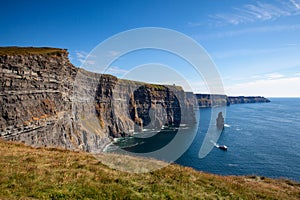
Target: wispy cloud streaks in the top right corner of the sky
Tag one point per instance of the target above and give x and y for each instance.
(258, 11)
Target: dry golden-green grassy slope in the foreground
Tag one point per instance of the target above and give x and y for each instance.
(29, 173)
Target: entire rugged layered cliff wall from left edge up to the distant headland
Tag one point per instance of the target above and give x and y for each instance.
(46, 101)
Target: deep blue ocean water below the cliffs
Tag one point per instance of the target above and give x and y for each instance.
(262, 138)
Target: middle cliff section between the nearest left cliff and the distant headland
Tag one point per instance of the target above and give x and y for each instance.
(120, 107)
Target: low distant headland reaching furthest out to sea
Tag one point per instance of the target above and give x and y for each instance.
(208, 100)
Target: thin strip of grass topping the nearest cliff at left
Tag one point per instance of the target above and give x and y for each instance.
(12, 50)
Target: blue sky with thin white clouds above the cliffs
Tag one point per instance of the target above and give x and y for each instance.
(255, 45)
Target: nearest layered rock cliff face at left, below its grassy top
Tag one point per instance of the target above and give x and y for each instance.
(35, 98)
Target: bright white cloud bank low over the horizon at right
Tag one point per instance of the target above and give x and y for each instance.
(279, 87)
